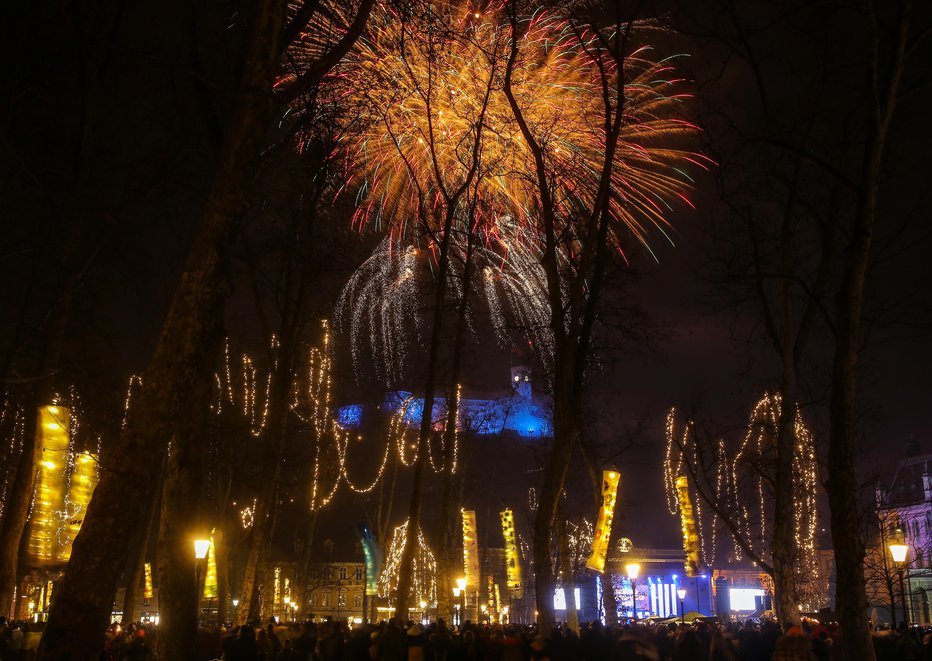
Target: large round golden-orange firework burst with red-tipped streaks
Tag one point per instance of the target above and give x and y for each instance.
(436, 108)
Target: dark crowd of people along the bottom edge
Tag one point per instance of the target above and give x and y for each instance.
(396, 641)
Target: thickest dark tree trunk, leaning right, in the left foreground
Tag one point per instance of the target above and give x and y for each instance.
(81, 609)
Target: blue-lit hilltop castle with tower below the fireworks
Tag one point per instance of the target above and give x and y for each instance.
(514, 412)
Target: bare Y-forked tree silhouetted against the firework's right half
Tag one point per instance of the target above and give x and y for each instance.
(576, 231)
